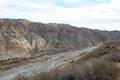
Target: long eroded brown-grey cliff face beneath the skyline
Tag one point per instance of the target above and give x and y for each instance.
(22, 37)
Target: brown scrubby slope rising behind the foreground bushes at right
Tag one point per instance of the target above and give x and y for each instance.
(109, 51)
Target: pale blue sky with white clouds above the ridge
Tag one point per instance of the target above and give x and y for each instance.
(95, 14)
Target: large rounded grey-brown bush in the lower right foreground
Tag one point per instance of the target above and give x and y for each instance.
(96, 69)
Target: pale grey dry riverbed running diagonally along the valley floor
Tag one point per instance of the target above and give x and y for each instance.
(52, 62)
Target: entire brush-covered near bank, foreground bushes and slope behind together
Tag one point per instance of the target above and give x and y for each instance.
(100, 64)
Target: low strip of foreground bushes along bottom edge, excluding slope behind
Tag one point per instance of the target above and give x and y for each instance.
(93, 70)
